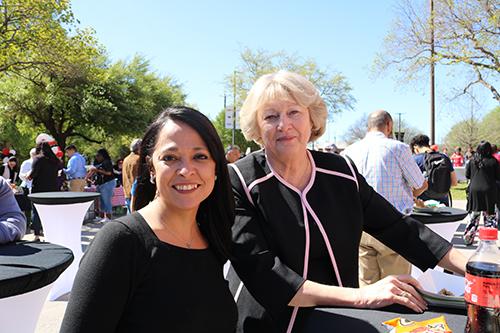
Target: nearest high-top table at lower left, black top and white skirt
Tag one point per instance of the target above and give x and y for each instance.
(27, 272)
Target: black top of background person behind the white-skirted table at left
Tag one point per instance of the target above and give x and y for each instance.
(44, 173)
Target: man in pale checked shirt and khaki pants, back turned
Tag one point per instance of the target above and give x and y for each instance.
(390, 169)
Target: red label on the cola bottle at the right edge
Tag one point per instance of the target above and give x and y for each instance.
(482, 291)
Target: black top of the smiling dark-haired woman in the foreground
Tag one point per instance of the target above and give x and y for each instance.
(130, 281)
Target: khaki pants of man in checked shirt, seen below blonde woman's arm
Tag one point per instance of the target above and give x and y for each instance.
(377, 261)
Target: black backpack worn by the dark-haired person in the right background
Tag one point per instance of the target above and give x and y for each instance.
(438, 174)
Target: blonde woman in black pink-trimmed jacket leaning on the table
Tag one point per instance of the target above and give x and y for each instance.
(300, 214)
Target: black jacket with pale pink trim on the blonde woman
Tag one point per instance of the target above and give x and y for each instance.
(275, 222)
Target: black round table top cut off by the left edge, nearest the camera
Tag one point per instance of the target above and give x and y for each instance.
(27, 266)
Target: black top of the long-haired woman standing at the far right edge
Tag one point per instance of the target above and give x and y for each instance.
(482, 192)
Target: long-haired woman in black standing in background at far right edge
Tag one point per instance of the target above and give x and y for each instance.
(483, 171)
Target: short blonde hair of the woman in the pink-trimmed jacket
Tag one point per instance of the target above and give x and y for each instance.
(282, 85)
